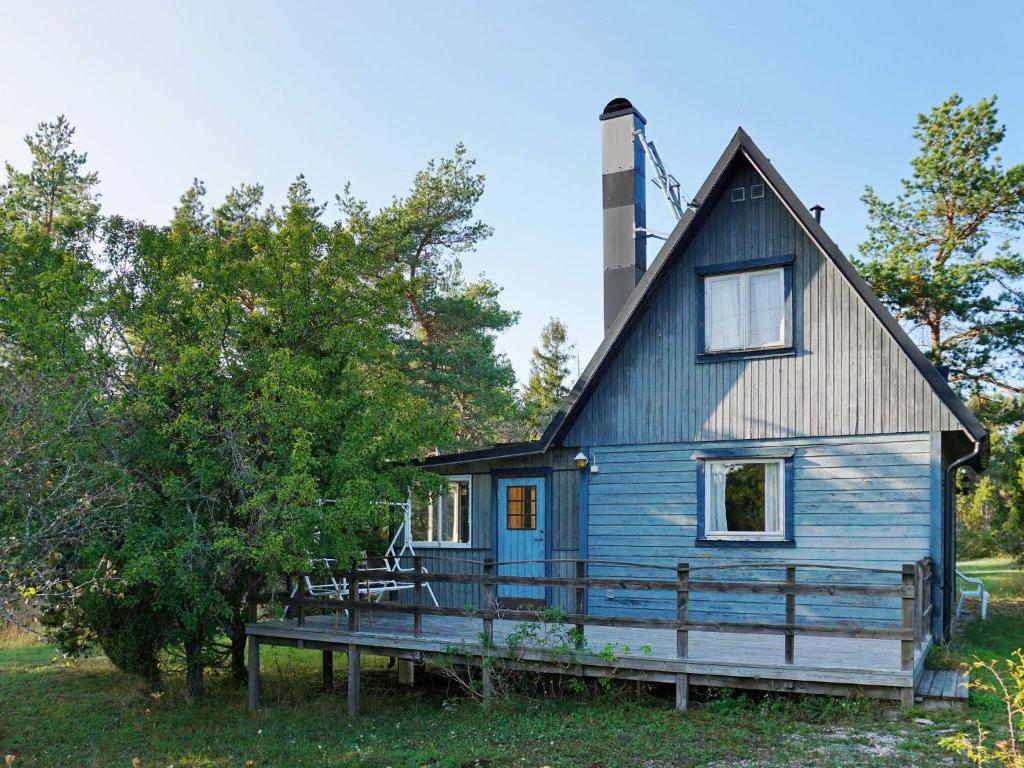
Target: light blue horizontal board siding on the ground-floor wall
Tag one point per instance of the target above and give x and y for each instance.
(858, 501)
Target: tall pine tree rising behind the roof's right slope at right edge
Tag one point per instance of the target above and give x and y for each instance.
(942, 257)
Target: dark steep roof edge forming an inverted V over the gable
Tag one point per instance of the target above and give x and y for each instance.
(742, 146)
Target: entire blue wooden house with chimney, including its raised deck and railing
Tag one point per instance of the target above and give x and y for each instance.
(751, 485)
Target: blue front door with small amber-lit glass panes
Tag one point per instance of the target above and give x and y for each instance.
(521, 534)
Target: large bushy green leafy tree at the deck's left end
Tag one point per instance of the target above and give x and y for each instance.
(260, 381)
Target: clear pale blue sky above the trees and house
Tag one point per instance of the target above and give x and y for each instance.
(368, 93)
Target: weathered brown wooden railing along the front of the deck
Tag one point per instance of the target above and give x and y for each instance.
(911, 585)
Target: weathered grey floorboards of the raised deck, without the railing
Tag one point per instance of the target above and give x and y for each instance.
(840, 666)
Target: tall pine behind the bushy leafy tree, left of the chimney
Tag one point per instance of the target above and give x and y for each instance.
(448, 337)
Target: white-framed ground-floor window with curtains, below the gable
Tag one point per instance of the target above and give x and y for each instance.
(745, 499)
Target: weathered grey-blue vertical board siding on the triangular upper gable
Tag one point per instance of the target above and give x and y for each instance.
(848, 376)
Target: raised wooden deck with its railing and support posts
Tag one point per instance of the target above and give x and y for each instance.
(839, 659)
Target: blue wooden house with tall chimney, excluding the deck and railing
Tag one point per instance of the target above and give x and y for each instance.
(752, 402)
